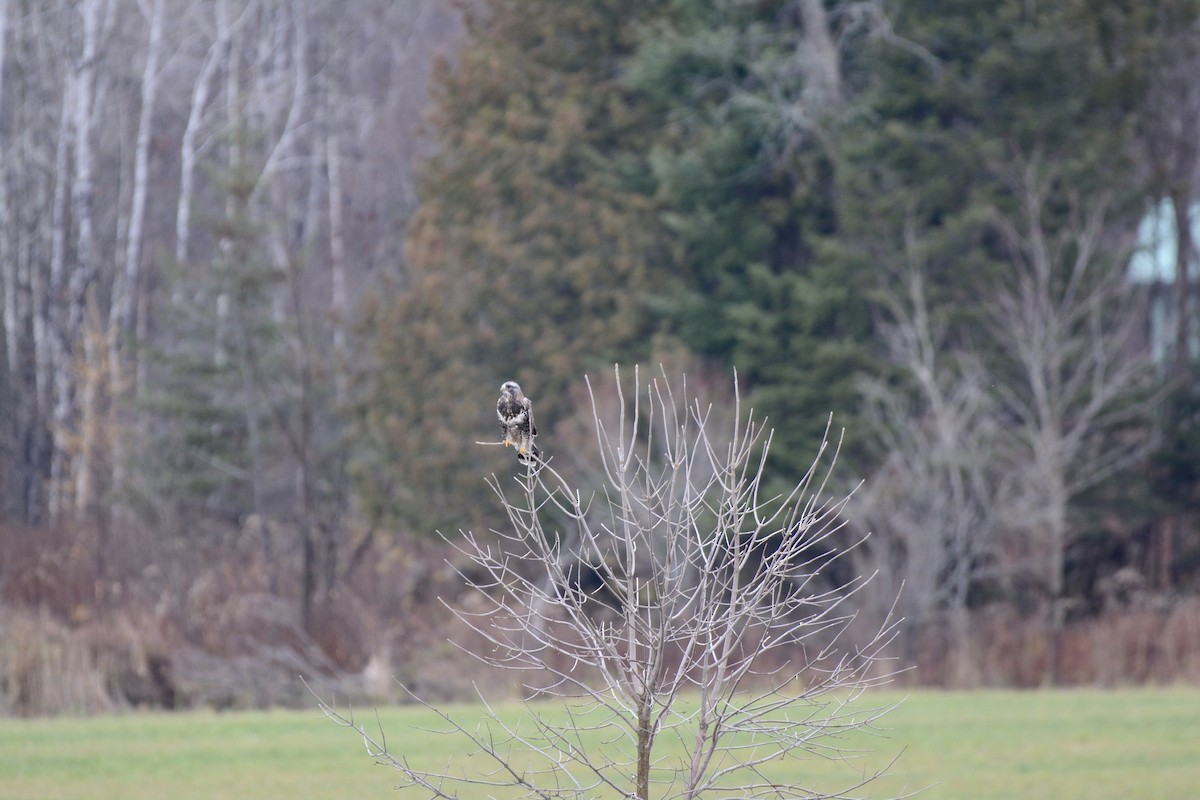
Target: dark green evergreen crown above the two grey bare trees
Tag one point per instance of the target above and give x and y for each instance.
(929, 161)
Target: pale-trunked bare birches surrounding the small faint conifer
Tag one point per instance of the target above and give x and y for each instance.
(122, 124)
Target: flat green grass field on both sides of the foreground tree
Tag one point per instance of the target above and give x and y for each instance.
(1059, 745)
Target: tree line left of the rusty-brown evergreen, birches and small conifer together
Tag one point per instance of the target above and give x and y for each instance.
(195, 200)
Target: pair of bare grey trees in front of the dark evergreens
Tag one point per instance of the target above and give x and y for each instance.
(998, 437)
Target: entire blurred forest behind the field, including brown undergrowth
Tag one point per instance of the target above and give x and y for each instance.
(266, 263)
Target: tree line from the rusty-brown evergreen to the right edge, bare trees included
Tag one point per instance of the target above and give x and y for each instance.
(916, 218)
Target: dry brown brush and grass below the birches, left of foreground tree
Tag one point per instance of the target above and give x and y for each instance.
(181, 623)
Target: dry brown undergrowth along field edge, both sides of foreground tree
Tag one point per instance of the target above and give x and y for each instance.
(190, 622)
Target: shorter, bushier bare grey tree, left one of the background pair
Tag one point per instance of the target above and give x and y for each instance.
(940, 498)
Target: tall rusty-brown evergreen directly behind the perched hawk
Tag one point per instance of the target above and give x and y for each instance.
(529, 258)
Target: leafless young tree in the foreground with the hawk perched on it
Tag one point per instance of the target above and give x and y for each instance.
(679, 609)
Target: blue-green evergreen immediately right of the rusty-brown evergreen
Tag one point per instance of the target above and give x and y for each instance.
(746, 171)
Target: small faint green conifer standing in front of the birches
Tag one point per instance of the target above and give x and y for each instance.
(203, 448)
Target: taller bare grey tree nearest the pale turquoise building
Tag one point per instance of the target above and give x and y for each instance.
(1066, 326)
